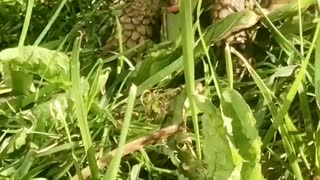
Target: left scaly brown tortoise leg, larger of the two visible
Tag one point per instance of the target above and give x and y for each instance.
(140, 20)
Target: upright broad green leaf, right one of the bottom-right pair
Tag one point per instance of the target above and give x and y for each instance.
(244, 133)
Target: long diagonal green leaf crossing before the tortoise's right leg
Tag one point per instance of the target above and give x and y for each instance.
(153, 69)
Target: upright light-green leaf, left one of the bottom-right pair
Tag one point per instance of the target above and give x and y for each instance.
(220, 155)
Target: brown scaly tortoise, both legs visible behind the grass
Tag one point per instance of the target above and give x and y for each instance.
(141, 19)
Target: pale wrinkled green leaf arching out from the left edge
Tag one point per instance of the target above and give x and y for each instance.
(50, 65)
